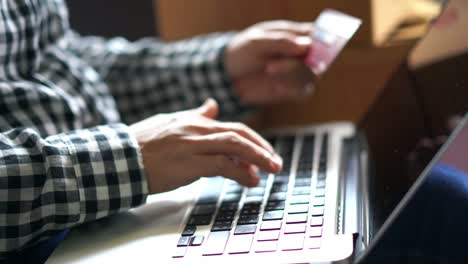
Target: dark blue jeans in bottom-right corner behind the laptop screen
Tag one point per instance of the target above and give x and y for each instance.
(433, 228)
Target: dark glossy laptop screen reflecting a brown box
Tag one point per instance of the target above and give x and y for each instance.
(415, 112)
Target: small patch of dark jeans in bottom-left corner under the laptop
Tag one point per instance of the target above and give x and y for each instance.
(38, 253)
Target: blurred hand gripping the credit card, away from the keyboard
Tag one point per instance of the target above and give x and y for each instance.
(266, 64)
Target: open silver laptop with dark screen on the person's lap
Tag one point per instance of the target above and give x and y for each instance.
(340, 188)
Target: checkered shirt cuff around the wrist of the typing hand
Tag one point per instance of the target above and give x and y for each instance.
(108, 168)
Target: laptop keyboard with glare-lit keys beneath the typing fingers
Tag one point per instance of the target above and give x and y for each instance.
(284, 212)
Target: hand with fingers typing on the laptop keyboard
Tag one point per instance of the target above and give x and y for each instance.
(181, 147)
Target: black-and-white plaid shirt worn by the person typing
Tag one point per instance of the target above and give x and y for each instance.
(66, 156)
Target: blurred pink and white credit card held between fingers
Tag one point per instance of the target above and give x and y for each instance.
(332, 31)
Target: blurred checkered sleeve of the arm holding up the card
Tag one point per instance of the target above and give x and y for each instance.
(150, 76)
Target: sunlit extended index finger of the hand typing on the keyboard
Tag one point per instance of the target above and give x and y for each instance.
(233, 145)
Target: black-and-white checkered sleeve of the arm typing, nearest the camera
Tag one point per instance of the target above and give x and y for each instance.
(52, 183)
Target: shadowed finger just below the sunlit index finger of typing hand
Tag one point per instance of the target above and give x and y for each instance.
(222, 165)
